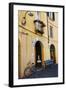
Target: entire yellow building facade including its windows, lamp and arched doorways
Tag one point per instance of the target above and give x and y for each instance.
(37, 38)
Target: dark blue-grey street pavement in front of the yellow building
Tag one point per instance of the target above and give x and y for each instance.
(49, 71)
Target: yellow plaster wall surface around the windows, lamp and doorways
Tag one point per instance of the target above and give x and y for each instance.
(31, 36)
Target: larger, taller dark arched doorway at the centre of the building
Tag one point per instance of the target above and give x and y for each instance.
(38, 54)
